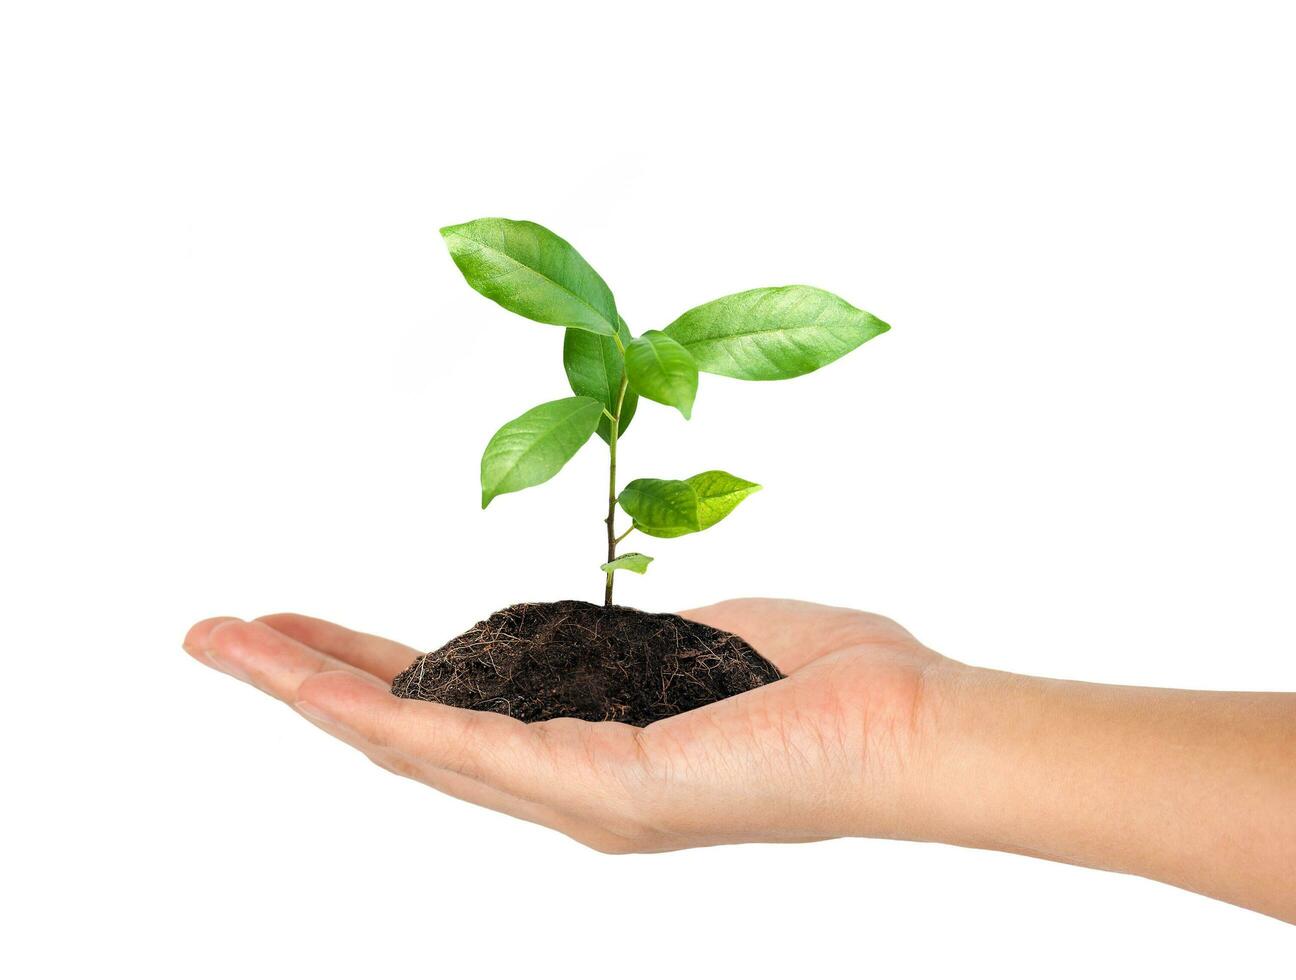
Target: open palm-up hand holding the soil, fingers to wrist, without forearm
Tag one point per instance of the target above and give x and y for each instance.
(837, 749)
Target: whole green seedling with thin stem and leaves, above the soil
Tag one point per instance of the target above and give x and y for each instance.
(760, 335)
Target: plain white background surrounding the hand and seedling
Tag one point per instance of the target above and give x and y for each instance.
(240, 375)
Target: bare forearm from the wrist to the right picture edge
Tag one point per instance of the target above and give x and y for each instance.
(1194, 789)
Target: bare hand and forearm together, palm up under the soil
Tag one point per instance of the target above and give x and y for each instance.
(872, 734)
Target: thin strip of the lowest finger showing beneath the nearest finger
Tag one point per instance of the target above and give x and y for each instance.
(475, 793)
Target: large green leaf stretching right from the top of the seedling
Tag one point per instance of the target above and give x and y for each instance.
(772, 334)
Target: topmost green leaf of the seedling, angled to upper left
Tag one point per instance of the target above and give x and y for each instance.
(532, 272)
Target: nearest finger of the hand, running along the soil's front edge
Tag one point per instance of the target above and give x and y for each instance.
(579, 768)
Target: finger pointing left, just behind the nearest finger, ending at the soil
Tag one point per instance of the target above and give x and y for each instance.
(269, 660)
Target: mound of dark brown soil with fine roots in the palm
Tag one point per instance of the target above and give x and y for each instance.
(577, 660)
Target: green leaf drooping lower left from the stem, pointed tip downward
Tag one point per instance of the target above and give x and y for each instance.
(537, 445)
